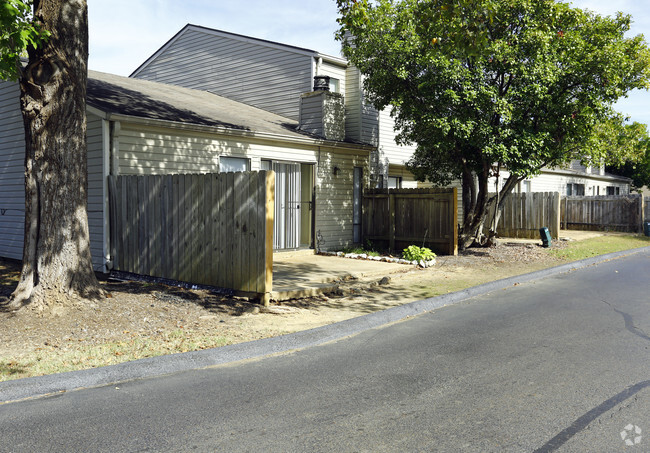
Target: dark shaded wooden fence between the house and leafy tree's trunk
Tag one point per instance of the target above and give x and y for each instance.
(397, 218)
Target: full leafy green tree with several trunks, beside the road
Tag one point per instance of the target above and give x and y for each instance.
(486, 85)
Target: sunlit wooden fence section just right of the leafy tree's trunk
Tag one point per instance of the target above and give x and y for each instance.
(523, 214)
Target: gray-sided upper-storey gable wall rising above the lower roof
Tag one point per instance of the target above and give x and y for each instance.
(266, 77)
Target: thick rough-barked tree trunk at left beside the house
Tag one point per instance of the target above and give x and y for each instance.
(57, 267)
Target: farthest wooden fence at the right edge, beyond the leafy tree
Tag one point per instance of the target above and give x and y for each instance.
(606, 213)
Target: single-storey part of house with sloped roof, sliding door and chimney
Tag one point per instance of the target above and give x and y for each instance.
(143, 127)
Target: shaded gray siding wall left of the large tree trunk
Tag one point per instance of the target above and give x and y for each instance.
(12, 171)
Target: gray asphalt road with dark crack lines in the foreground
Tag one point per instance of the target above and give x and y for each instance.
(555, 364)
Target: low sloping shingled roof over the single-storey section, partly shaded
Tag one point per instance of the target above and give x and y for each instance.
(113, 94)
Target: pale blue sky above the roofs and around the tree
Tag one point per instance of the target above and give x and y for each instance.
(124, 33)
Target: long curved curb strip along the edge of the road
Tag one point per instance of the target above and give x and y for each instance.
(29, 388)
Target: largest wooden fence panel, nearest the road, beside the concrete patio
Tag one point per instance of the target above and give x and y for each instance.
(212, 229)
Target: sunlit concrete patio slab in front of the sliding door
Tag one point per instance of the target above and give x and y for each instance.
(307, 275)
